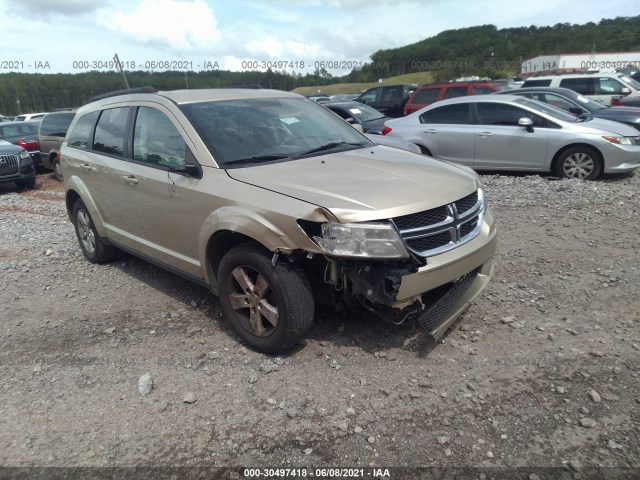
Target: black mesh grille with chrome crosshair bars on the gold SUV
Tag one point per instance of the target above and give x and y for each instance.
(440, 229)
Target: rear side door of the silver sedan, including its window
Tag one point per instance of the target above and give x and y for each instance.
(448, 133)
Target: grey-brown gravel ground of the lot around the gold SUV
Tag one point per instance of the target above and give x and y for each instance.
(542, 371)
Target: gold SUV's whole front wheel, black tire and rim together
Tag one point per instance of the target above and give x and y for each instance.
(270, 308)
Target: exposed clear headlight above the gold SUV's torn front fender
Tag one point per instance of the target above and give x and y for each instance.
(361, 240)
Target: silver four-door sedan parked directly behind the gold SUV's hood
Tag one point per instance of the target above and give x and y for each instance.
(515, 133)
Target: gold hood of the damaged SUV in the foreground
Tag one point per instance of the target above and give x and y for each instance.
(365, 184)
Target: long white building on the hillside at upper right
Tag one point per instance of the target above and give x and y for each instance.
(579, 62)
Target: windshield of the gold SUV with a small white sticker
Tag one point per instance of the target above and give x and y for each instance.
(269, 129)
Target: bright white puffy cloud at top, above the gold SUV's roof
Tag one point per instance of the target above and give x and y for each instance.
(171, 25)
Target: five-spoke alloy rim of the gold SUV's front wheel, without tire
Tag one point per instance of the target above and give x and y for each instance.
(253, 301)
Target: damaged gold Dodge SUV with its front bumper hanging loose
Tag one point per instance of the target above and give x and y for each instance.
(277, 205)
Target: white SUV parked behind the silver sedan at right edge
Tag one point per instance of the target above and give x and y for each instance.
(602, 87)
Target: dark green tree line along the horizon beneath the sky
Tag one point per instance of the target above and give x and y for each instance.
(482, 50)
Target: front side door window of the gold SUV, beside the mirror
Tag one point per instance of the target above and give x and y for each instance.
(157, 141)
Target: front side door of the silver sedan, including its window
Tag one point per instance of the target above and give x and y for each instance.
(501, 143)
